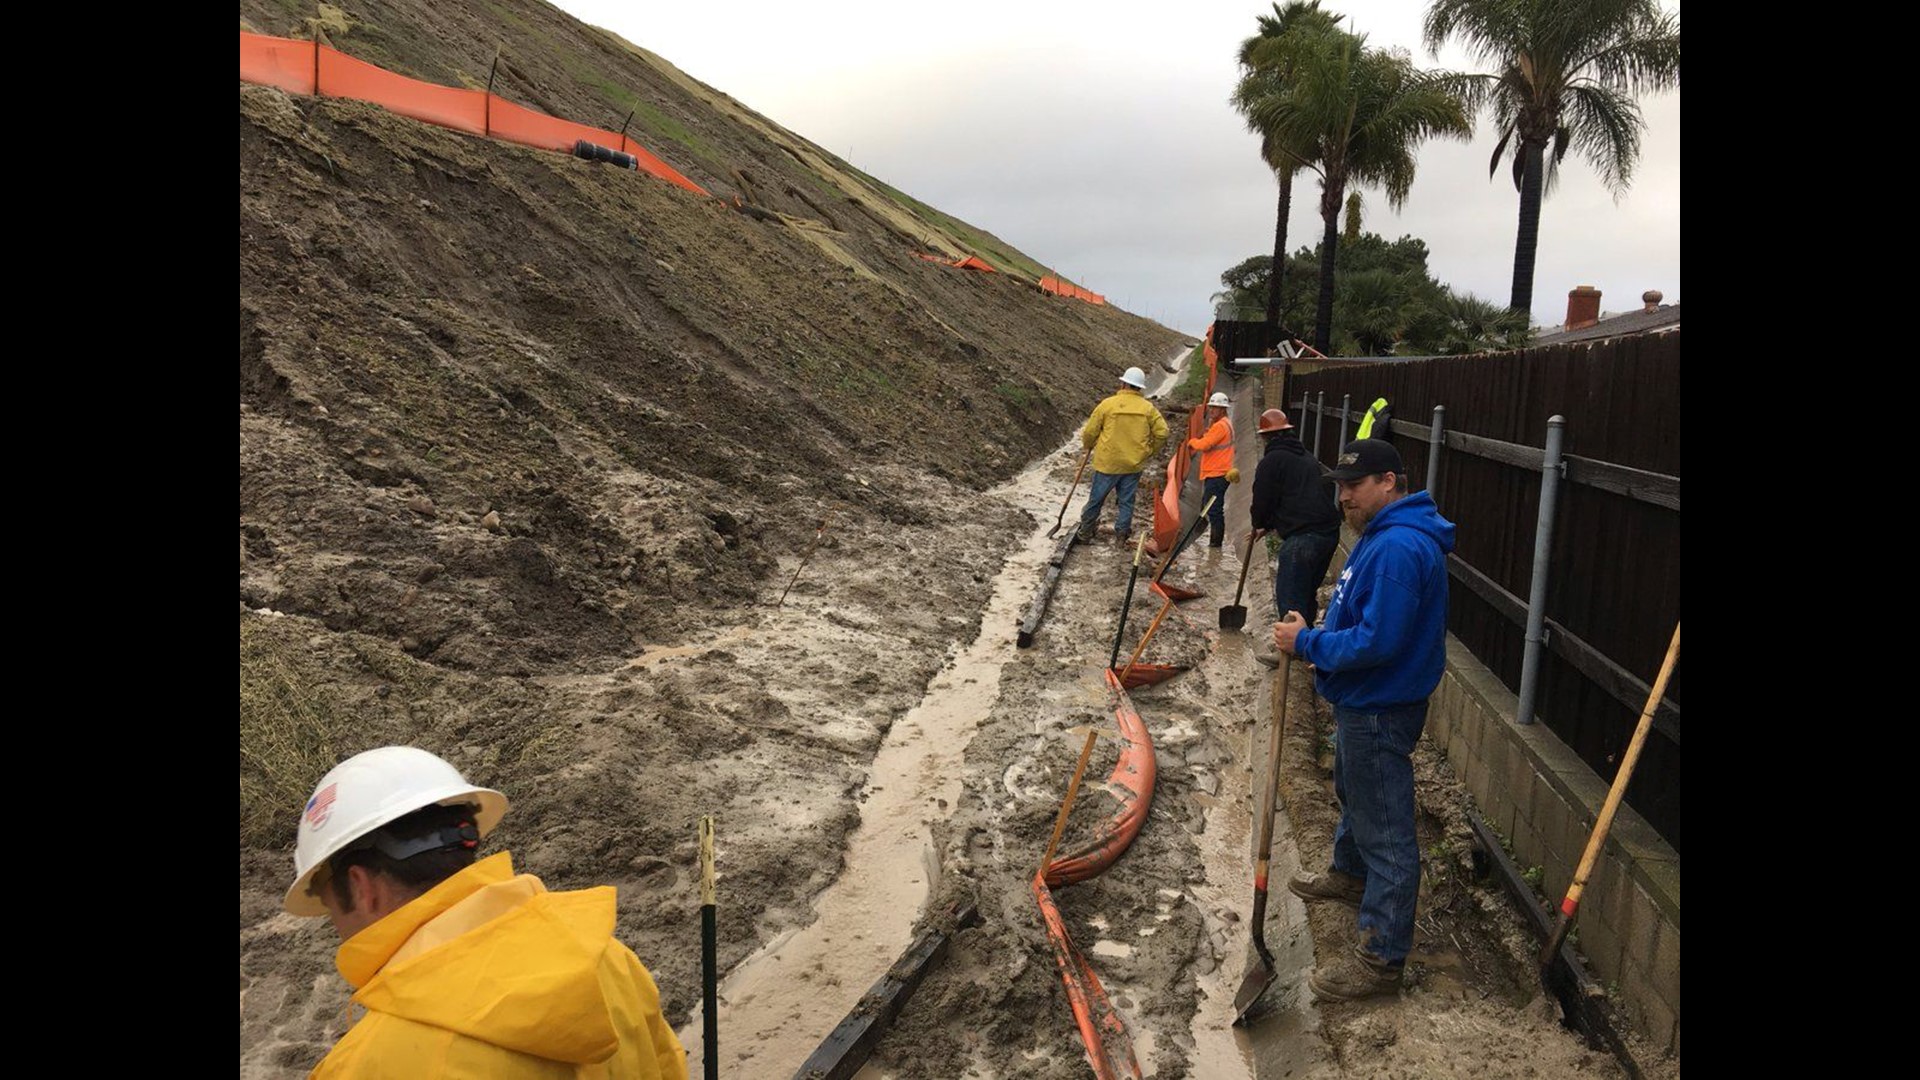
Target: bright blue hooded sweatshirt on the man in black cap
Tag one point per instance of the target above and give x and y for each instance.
(1383, 641)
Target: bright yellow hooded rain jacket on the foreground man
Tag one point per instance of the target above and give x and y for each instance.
(489, 975)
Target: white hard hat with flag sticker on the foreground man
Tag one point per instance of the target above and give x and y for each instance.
(370, 791)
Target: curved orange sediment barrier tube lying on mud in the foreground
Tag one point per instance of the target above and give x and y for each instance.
(1101, 1027)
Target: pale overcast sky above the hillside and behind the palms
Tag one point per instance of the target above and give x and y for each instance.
(1097, 137)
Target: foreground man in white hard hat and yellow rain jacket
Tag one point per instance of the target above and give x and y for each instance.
(464, 968)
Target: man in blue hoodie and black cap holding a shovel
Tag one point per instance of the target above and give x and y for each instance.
(1378, 658)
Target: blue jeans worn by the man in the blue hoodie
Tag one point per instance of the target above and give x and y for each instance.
(1376, 839)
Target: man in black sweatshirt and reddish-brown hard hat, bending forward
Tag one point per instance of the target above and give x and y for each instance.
(1297, 501)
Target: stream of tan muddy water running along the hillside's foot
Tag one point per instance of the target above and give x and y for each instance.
(782, 1002)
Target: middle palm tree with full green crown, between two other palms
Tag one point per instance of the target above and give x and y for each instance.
(1364, 112)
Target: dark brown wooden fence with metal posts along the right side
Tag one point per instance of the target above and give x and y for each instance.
(1614, 576)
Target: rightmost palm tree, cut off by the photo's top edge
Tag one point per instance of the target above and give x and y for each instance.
(1570, 72)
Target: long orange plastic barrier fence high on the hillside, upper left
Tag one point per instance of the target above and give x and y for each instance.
(312, 68)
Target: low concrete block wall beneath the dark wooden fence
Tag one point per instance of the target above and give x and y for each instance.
(1541, 797)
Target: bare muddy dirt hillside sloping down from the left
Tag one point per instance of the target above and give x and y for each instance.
(517, 431)
